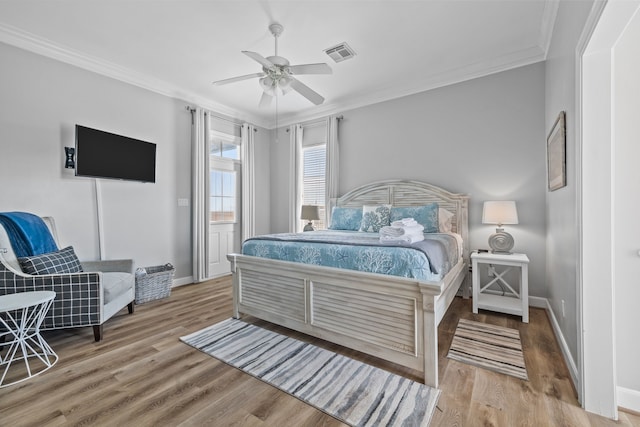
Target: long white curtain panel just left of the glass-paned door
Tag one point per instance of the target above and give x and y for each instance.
(200, 189)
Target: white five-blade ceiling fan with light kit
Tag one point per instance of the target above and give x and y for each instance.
(277, 76)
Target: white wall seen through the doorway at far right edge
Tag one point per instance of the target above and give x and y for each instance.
(626, 228)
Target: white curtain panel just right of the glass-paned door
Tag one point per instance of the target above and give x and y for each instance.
(248, 182)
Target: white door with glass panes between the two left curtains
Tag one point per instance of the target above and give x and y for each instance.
(224, 215)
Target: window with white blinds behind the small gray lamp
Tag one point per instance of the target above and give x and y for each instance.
(314, 180)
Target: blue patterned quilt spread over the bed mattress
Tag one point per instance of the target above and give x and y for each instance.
(428, 260)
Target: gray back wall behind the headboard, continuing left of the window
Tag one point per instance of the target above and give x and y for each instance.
(484, 137)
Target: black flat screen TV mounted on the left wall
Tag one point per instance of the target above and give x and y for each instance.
(101, 154)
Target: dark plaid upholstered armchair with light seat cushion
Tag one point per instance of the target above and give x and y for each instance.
(89, 296)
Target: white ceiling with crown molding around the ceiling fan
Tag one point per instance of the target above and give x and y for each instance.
(178, 47)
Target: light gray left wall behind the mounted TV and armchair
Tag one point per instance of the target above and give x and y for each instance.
(42, 100)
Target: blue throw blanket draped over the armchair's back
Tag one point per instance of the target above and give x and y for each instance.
(28, 233)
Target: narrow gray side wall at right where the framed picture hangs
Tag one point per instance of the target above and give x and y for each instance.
(561, 211)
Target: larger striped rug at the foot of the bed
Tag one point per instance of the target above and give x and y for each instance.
(351, 391)
